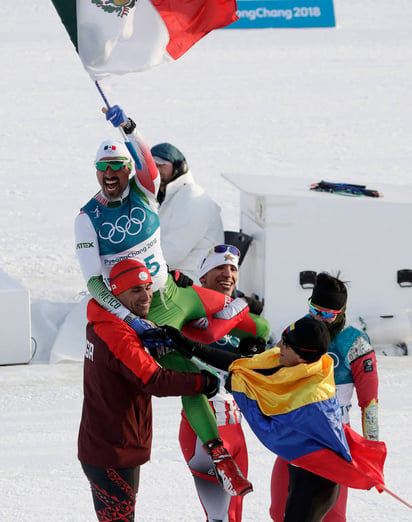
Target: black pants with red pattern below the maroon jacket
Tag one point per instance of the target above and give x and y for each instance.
(114, 492)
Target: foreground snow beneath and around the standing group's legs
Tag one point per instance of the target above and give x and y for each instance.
(41, 479)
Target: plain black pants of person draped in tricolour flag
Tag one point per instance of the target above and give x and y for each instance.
(310, 496)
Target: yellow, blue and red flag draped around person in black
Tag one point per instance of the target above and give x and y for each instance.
(294, 412)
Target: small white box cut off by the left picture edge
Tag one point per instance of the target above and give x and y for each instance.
(15, 325)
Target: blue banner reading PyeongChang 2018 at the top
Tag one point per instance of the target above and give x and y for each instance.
(284, 13)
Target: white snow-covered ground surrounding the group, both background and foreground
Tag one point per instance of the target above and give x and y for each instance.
(318, 103)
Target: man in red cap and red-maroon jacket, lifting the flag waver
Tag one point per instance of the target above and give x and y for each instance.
(120, 377)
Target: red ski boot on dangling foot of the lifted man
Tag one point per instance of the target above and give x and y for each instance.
(227, 471)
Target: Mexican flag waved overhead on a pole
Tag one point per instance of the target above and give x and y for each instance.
(121, 36)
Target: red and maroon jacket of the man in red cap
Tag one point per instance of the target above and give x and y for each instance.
(119, 379)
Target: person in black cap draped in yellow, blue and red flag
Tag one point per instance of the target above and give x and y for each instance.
(287, 394)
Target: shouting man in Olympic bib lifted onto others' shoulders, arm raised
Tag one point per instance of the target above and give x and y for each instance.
(121, 222)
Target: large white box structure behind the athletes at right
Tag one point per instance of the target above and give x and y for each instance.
(296, 229)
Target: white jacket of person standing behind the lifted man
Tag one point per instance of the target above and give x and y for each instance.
(190, 222)
